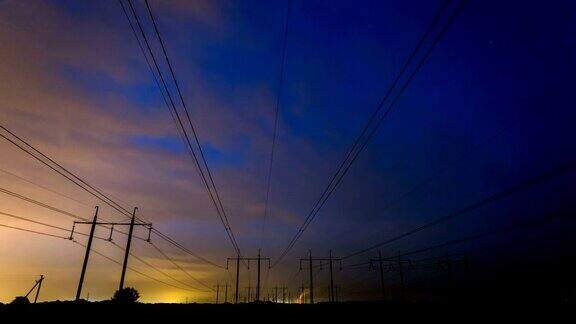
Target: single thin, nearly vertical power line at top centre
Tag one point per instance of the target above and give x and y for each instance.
(276, 114)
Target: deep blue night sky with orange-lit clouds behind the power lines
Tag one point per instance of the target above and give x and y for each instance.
(492, 107)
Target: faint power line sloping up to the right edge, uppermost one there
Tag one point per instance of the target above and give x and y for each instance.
(522, 185)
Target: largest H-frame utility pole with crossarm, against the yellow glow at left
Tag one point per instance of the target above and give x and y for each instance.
(95, 223)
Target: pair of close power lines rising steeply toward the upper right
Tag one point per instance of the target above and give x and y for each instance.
(353, 155)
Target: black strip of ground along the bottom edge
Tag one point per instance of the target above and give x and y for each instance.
(349, 311)
